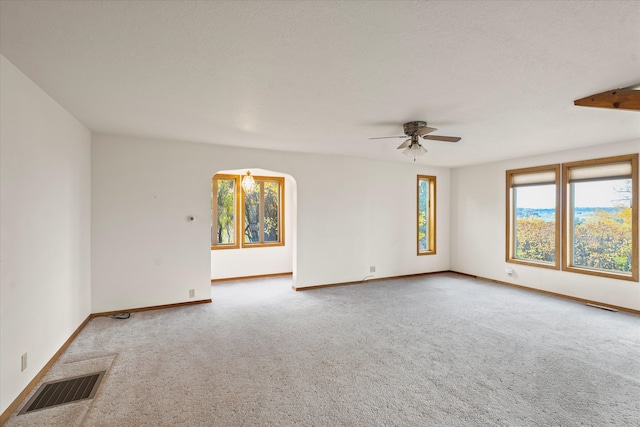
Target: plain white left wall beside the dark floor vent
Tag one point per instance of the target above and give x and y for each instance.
(45, 284)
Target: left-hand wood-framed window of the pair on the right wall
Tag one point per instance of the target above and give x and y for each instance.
(533, 225)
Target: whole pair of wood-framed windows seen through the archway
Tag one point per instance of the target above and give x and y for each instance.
(251, 217)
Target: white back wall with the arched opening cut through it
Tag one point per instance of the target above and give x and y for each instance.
(351, 214)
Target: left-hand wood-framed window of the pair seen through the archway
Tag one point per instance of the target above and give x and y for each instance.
(224, 206)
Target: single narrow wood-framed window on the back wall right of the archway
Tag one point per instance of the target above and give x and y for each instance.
(426, 215)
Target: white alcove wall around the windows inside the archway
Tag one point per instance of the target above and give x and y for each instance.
(243, 262)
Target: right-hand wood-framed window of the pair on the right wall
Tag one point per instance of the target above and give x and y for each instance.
(600, 215)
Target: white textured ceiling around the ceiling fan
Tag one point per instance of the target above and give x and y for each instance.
(324, 76)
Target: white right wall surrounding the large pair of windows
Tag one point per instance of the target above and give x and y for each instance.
(478, 230)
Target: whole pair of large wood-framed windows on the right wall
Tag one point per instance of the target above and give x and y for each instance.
(598, 200)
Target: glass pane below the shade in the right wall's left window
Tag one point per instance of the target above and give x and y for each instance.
(535, 223)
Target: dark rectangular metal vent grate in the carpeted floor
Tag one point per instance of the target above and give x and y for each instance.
(69, 390)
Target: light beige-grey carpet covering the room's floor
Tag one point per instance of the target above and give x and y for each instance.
(435, 350)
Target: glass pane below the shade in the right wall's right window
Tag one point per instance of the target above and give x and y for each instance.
(601, 225)
